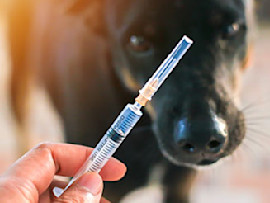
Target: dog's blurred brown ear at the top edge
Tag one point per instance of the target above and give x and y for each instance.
(92, 12)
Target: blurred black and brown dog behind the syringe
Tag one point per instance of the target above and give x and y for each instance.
(92, 69)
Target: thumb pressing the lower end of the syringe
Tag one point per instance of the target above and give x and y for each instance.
(87, 189)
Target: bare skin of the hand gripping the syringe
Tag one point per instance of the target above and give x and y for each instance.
(31, 178)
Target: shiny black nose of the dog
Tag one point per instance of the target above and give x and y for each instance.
(201, 136)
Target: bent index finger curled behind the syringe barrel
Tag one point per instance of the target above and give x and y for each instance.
(41, 164)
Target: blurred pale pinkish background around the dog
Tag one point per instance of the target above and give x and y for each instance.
(241, 178)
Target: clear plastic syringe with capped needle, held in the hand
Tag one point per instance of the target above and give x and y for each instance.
(129, 116)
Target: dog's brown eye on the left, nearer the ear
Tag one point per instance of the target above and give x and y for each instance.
(139, 43)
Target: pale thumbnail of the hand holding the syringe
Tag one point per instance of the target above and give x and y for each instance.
(92, 181)
